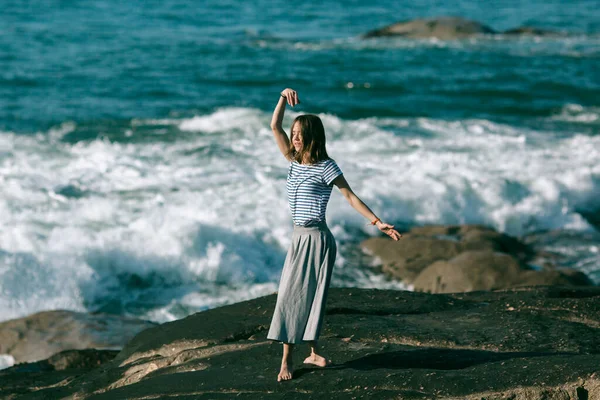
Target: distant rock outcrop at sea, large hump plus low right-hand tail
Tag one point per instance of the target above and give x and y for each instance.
(448, 28)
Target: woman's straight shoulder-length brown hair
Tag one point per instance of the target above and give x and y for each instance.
(313, 139)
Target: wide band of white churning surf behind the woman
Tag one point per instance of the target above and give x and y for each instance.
(164, 228)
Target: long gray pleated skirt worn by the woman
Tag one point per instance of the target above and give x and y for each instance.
(304, 285)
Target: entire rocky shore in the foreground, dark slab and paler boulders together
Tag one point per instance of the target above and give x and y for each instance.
(490, 318)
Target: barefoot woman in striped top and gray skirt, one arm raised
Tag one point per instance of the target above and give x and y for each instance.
(306, 274)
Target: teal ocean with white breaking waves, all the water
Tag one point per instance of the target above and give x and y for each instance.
(139, 175)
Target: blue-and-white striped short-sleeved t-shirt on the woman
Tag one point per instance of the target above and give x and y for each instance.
(309, 188)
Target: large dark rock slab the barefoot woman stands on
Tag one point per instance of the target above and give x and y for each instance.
(530, 343)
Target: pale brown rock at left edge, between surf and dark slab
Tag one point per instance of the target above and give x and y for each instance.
(38, 336)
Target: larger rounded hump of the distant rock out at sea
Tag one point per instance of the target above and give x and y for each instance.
(440, 28)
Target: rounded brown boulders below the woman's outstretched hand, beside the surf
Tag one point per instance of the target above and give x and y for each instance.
(447, 259)
